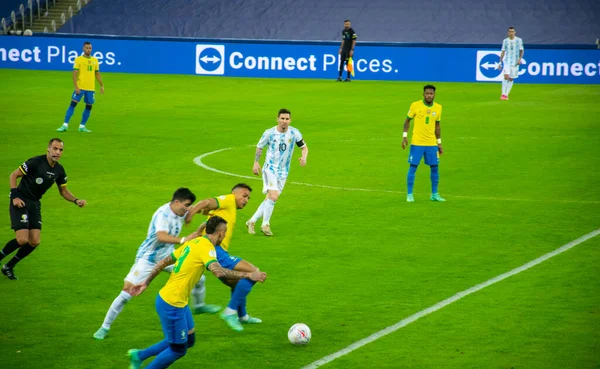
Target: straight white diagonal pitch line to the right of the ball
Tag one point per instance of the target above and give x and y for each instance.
(406, 321)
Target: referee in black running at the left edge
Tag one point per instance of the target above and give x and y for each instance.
(38, 175)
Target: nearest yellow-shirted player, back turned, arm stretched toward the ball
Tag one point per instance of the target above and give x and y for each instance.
(191, 260)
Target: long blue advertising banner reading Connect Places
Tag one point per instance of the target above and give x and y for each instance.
(298, 60)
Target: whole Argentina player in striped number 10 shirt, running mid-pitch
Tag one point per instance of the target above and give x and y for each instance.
(280, 141)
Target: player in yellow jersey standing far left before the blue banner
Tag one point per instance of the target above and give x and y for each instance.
(86, 70)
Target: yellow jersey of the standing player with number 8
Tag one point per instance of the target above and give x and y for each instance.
(424, 118)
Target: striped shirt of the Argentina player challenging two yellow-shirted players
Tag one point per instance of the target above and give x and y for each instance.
(163, 220)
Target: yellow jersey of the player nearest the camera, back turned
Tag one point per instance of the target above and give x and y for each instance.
(193, 257)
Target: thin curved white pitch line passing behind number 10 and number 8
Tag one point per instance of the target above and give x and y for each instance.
(198, 161)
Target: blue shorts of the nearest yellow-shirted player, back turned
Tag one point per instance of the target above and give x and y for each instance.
(176, 322)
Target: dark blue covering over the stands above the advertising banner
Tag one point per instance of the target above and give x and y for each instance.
(437, 21)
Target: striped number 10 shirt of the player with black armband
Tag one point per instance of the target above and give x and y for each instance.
(280, 149)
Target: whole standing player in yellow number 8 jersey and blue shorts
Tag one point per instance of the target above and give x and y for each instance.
(426, 140)
